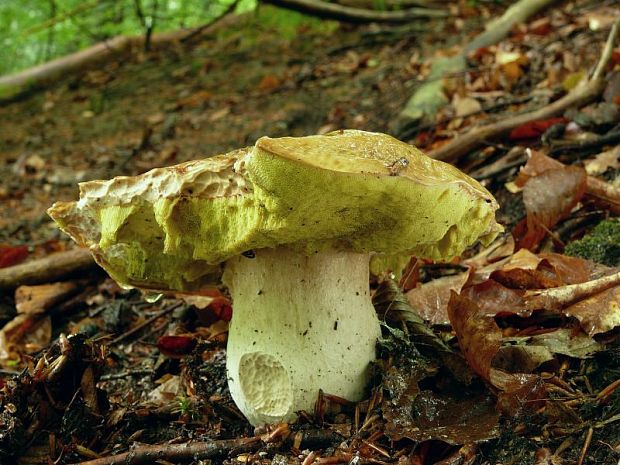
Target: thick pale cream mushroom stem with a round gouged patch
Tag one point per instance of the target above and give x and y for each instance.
(300, 324)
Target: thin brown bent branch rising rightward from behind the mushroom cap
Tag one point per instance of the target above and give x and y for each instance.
(579, 96)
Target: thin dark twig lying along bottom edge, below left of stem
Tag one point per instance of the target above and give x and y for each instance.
(178, 452)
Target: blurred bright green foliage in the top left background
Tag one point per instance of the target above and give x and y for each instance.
(35, 31)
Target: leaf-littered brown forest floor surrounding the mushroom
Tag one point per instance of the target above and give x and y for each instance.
(138, 371)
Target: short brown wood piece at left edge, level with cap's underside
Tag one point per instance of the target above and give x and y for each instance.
(48, 269)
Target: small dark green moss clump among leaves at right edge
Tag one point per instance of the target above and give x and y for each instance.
(601, 245)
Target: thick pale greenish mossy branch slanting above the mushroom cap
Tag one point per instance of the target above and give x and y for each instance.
(429, 97)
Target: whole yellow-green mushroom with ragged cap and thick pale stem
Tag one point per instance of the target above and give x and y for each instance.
(291, 222)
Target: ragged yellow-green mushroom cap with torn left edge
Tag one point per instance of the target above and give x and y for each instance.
(171, 228)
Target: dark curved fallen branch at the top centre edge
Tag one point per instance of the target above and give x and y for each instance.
(324, 9)
